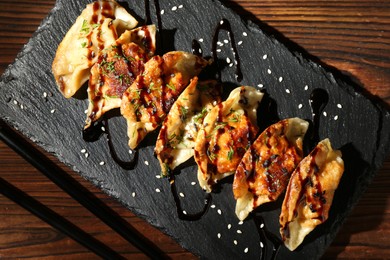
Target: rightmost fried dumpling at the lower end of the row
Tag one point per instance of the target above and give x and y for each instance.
(309, 193)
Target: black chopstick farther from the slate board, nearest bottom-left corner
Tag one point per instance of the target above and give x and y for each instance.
(56, 221)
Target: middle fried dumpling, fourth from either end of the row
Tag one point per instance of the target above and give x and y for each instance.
(176, 141)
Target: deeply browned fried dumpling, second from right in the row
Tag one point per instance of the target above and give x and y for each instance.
(265, 169)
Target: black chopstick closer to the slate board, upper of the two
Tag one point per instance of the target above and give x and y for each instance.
(77, 191)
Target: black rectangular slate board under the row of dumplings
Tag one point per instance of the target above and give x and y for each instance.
(354, 123)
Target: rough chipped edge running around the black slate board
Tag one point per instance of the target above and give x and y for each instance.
(385, 115)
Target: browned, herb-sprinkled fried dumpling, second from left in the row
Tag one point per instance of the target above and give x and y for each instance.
(116, 69)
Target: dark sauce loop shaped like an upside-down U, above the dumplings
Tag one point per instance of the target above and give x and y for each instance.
(225, 25)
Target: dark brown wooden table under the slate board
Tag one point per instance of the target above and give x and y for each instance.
(351, 37)
